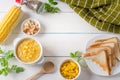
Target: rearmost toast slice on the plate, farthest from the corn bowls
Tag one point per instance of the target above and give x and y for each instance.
(116, 41)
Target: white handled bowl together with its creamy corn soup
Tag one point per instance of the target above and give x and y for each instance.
(28, 50)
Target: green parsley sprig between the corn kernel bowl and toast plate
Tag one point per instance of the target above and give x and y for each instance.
(77, 56)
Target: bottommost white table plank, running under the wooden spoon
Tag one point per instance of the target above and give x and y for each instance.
(86, 74)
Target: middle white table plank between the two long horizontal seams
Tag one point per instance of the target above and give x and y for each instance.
(55, 44)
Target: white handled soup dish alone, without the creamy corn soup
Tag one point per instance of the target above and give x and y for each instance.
(38, 61)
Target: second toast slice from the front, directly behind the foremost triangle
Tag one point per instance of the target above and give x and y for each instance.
(108, 50)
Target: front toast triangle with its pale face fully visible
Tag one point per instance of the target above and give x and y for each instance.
(99, 57)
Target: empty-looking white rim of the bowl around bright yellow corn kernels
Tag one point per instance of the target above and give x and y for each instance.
(74, 62)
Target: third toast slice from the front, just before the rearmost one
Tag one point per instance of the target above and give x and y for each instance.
(110, 44)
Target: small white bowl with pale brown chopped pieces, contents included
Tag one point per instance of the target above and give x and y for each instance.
(31, 26)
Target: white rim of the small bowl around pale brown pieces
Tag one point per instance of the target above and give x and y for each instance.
(36, 21)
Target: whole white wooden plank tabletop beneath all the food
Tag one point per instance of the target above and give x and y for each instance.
(61, 33)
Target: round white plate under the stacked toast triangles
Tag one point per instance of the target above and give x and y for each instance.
(93, 66)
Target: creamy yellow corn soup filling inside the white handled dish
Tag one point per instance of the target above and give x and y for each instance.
(28, 50)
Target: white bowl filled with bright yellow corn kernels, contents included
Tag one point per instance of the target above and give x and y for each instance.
(70, 69)
